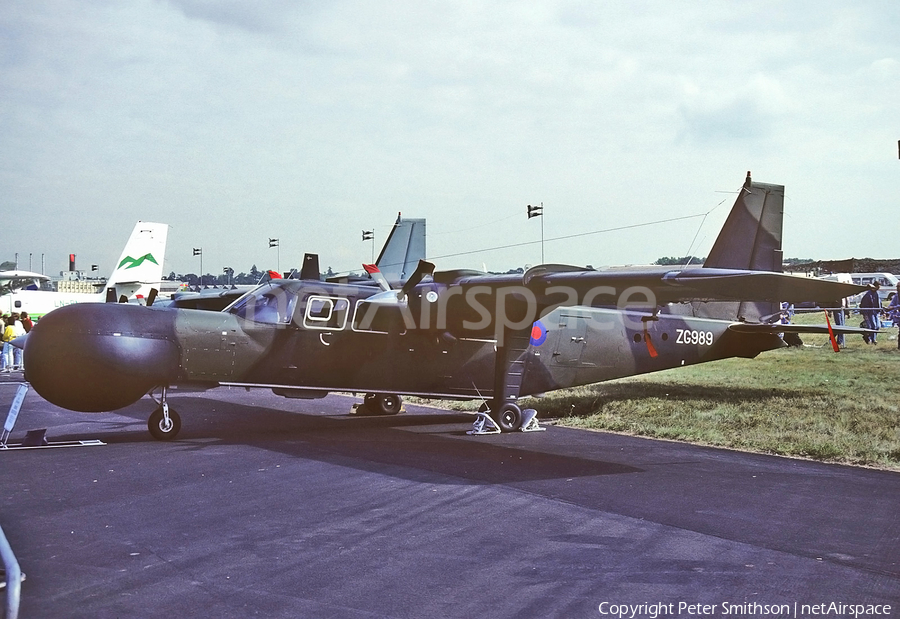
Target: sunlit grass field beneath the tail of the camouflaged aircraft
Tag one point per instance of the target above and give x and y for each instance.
(807, 402)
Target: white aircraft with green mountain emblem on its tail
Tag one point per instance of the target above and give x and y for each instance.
(138, 271)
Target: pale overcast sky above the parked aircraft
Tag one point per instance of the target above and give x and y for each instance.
(236, 121)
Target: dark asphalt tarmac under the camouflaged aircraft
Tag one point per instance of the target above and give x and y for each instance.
(289, 508)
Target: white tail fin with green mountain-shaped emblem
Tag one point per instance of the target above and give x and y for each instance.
(140, 266)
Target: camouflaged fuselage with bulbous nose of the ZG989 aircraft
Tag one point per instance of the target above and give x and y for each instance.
(306, 339)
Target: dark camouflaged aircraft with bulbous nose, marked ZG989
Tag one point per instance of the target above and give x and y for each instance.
(445, 335)
